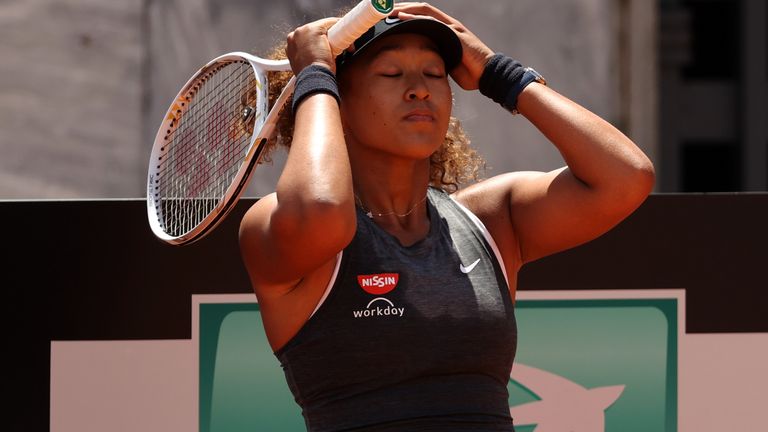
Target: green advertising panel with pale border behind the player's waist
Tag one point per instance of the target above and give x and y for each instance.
(587, 361)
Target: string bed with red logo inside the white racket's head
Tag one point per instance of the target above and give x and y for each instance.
(203, 154)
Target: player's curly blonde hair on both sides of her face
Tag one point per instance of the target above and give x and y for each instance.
(454, 164)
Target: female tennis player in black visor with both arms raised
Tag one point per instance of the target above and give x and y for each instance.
(387, 287)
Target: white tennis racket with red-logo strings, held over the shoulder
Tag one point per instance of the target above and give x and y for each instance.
(215, 132)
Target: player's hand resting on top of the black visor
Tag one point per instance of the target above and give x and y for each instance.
(475, 53)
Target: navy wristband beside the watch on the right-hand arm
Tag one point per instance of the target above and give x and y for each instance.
(503, 80)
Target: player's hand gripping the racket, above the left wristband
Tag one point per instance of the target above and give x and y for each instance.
(309, 44)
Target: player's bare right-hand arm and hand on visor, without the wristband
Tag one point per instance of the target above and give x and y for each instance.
(536, 214)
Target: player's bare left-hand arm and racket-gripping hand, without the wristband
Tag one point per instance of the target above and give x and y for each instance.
(311, 216)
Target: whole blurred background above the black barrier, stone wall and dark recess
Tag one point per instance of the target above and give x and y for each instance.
(85, 83)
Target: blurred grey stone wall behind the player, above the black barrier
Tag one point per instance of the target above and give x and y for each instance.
(86, 81)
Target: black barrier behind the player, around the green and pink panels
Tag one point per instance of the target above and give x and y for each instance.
(92, 270)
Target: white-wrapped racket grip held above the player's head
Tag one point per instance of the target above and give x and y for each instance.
(356, 22)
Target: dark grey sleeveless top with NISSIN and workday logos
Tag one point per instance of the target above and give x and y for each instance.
(409, 338)
